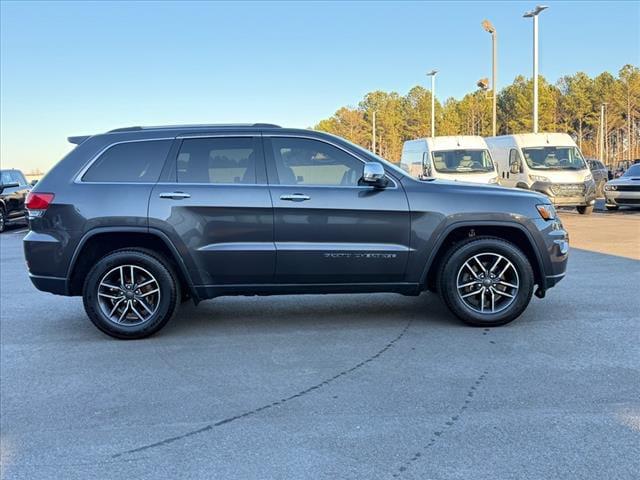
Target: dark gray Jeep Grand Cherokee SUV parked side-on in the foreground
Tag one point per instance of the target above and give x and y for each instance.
(137, 220)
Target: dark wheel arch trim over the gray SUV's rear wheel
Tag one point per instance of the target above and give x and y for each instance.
(99, 242)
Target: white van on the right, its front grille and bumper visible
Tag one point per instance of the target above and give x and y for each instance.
(549, 163)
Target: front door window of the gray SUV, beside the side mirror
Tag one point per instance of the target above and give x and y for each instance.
(302, 161)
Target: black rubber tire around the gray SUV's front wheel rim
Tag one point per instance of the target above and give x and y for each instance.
(453, 264)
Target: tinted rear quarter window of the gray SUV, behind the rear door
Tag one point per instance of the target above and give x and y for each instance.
(130, 162)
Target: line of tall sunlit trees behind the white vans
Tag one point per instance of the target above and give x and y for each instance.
(573, 105)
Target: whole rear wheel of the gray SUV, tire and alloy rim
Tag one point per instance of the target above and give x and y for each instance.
(131, 293)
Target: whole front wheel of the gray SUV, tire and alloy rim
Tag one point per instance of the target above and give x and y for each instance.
(486, 281)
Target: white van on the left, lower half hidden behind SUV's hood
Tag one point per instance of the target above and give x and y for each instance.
(464, 158)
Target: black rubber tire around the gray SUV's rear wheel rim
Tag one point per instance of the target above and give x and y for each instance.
(166, 305)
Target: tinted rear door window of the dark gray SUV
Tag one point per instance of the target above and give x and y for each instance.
(217, 160)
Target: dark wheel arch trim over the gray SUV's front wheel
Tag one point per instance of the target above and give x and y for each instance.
(509, 231)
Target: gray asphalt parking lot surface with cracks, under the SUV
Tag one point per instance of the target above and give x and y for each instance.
(335, 386)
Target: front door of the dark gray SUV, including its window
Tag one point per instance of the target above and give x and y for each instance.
(328, 227)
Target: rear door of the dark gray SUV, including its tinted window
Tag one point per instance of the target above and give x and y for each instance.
(215, 206)
